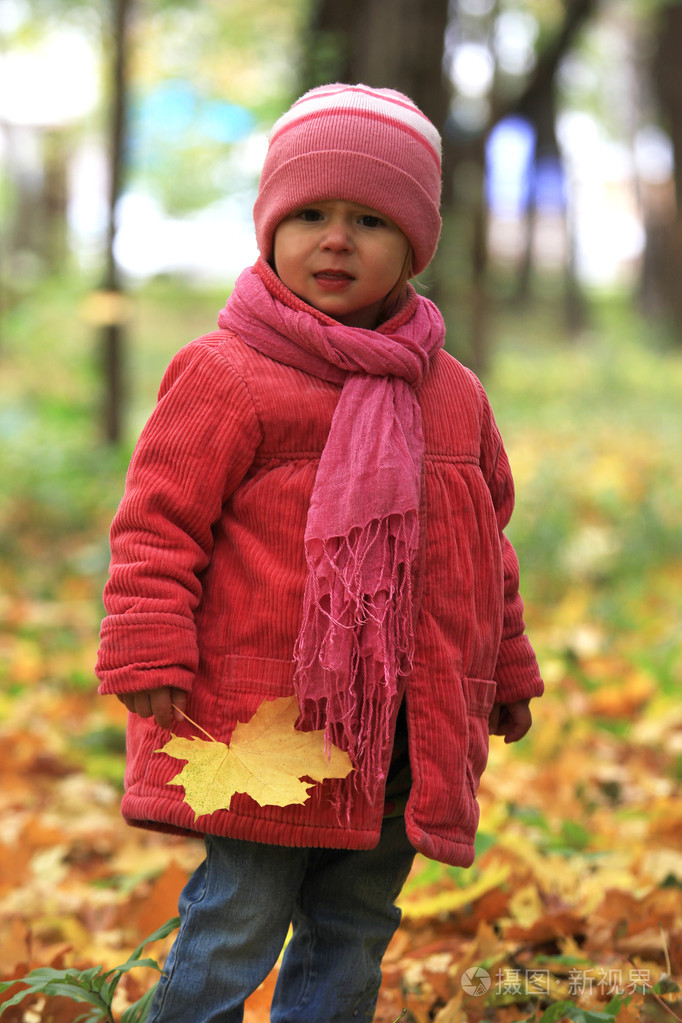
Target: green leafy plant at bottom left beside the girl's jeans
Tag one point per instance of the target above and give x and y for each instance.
(96, 987)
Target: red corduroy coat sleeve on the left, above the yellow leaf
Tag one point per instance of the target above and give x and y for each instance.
(196, 449)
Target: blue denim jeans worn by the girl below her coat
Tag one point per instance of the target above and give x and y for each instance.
(236, 914)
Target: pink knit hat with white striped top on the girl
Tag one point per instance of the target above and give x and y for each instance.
(372, 147)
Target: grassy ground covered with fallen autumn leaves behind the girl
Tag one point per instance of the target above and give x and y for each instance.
(575, 903)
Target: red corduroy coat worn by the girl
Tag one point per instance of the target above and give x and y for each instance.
(208, 575)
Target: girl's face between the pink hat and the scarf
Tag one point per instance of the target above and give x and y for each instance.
(342, 258)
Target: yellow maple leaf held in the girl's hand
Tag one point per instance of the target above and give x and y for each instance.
(266, 760)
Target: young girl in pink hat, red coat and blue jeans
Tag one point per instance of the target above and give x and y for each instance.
(316, 507)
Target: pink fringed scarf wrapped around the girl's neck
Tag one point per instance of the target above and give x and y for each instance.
(362, 532)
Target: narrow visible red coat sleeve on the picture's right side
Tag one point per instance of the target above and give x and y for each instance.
(517, 673)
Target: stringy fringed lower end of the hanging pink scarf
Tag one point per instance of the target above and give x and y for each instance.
(354, 647)
